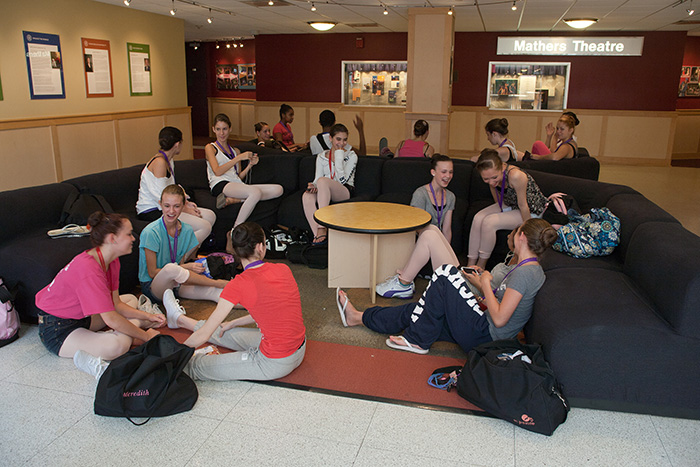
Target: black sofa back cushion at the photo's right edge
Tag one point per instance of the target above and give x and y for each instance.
(663, 258)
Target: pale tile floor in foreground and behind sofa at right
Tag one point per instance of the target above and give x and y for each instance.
(48, 417)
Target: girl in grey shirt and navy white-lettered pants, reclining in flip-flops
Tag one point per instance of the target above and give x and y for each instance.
(449, 310)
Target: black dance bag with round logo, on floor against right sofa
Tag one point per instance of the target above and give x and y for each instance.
(514, 382)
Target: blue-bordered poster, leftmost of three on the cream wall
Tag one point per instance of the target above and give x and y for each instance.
(44, 65)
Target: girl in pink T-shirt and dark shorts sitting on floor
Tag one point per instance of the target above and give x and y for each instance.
(84, 298)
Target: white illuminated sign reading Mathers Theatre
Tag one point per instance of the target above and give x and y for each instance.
(589, 45)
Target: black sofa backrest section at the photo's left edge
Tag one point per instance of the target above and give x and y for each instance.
(27, 209)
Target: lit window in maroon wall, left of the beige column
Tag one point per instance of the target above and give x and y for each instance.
(375, 83)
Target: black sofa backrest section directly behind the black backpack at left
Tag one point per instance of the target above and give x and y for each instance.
(120, 187)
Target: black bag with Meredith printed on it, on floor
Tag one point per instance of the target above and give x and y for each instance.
(147, 381)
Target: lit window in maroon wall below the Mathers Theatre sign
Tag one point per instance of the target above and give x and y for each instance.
(528, 85)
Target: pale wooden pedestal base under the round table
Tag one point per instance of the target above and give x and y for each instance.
(359, 260)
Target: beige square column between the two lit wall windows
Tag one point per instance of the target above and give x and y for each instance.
(429, 93)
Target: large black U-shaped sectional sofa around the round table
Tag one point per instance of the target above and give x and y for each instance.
(621, 332)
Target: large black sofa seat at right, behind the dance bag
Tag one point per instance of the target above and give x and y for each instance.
(604, 341)
